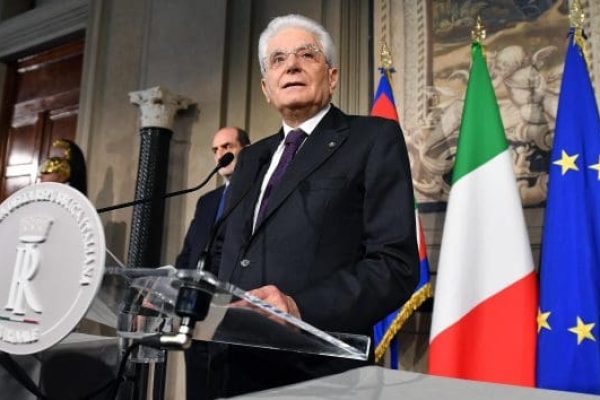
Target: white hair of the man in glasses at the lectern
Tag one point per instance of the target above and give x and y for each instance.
(301, 22)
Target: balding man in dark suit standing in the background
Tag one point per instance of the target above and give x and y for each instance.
(210, 206)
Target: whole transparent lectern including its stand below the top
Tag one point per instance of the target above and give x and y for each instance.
(148, 308)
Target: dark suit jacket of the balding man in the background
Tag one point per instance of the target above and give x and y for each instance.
(198, 233)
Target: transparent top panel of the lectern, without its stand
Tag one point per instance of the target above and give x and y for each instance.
(233, 316)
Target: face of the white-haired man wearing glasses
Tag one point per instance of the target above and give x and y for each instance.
(295, 81)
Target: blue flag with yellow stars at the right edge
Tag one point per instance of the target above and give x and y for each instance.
(568, 353)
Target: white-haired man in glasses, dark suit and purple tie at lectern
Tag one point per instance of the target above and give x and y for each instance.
(320, 222)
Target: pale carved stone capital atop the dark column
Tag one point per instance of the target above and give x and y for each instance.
(158, 106)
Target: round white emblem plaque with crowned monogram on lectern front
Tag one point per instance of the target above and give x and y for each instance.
(53, 250)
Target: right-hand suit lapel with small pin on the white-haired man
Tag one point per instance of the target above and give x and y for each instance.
(324, 141)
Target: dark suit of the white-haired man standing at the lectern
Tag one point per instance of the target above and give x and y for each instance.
(338, 236)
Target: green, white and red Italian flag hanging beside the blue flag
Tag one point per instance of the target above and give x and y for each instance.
(485, 303)
